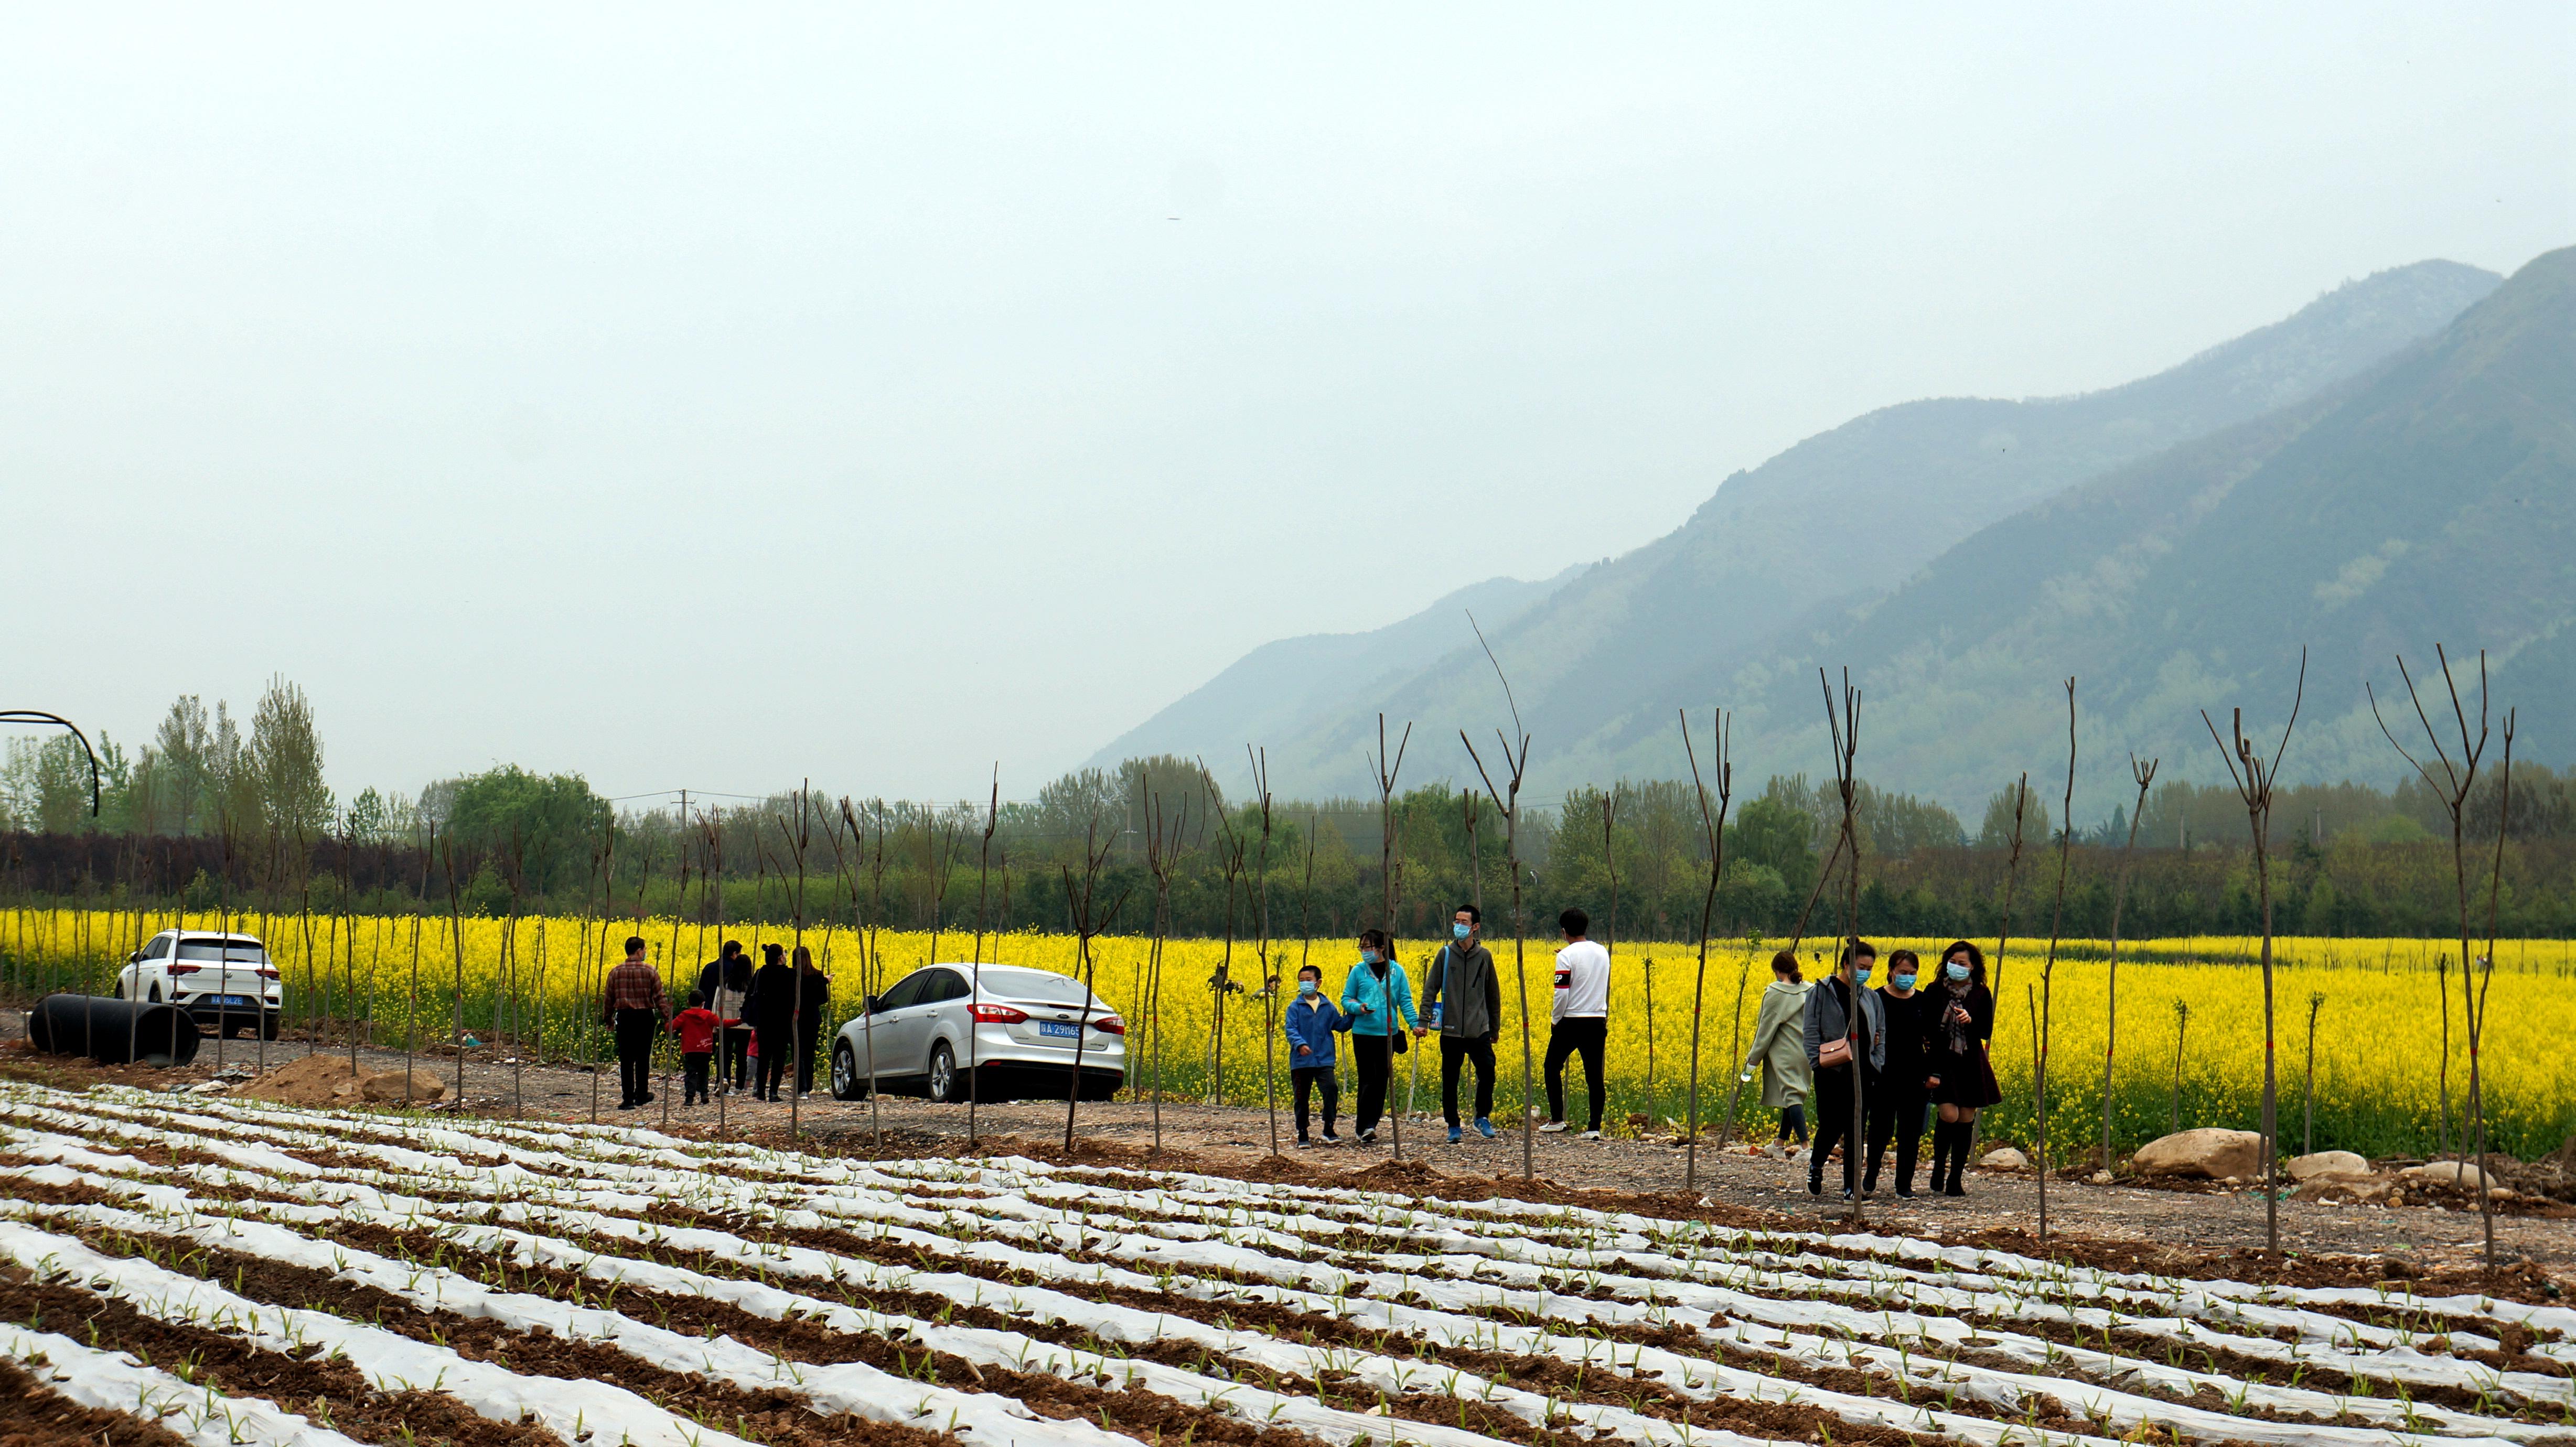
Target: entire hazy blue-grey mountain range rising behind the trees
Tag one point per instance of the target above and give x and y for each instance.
(2170, 542)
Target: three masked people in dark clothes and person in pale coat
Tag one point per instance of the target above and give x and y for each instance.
(1913, 1047)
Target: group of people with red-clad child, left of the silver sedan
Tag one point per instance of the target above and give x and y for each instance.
(741, 1029)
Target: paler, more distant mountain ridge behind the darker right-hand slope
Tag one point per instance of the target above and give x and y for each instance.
(1604, 655)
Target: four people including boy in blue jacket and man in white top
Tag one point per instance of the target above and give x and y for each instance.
(1462, 1003)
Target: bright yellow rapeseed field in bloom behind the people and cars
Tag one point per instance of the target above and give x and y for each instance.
(2379, 1021)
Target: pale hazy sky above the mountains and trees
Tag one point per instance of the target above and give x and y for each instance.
(715, 395)
